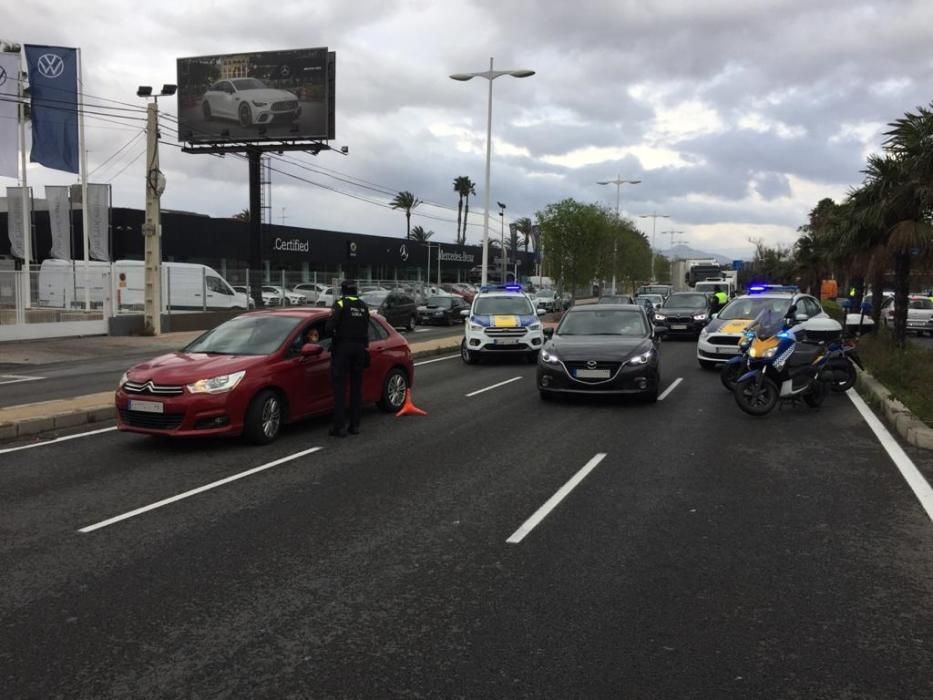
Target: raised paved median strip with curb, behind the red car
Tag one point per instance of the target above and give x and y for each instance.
(34, 419)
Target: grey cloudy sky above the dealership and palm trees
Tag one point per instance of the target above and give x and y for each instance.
(737, 116)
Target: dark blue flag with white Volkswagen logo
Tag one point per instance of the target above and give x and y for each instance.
(53, 87)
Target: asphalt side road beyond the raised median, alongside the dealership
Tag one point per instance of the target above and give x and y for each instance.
(59, 380)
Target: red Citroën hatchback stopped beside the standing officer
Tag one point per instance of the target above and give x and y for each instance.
(253, 373)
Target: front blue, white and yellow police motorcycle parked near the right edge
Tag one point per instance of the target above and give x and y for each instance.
(782, 366)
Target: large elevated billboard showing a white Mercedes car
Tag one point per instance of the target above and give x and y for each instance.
(263, 96)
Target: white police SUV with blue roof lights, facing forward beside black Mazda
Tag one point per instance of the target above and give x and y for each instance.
(502, 320)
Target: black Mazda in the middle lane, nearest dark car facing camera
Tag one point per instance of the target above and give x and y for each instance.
(601, 350)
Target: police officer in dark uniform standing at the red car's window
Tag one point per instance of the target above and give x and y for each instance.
(348, 325)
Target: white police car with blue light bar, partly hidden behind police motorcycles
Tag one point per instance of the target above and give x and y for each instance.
(719, 340)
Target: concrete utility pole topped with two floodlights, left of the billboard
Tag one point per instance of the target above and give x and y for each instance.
(152, 228)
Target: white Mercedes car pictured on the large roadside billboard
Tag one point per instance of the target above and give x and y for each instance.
(248, 101)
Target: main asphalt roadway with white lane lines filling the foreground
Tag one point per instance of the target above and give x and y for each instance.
(707, 554)
